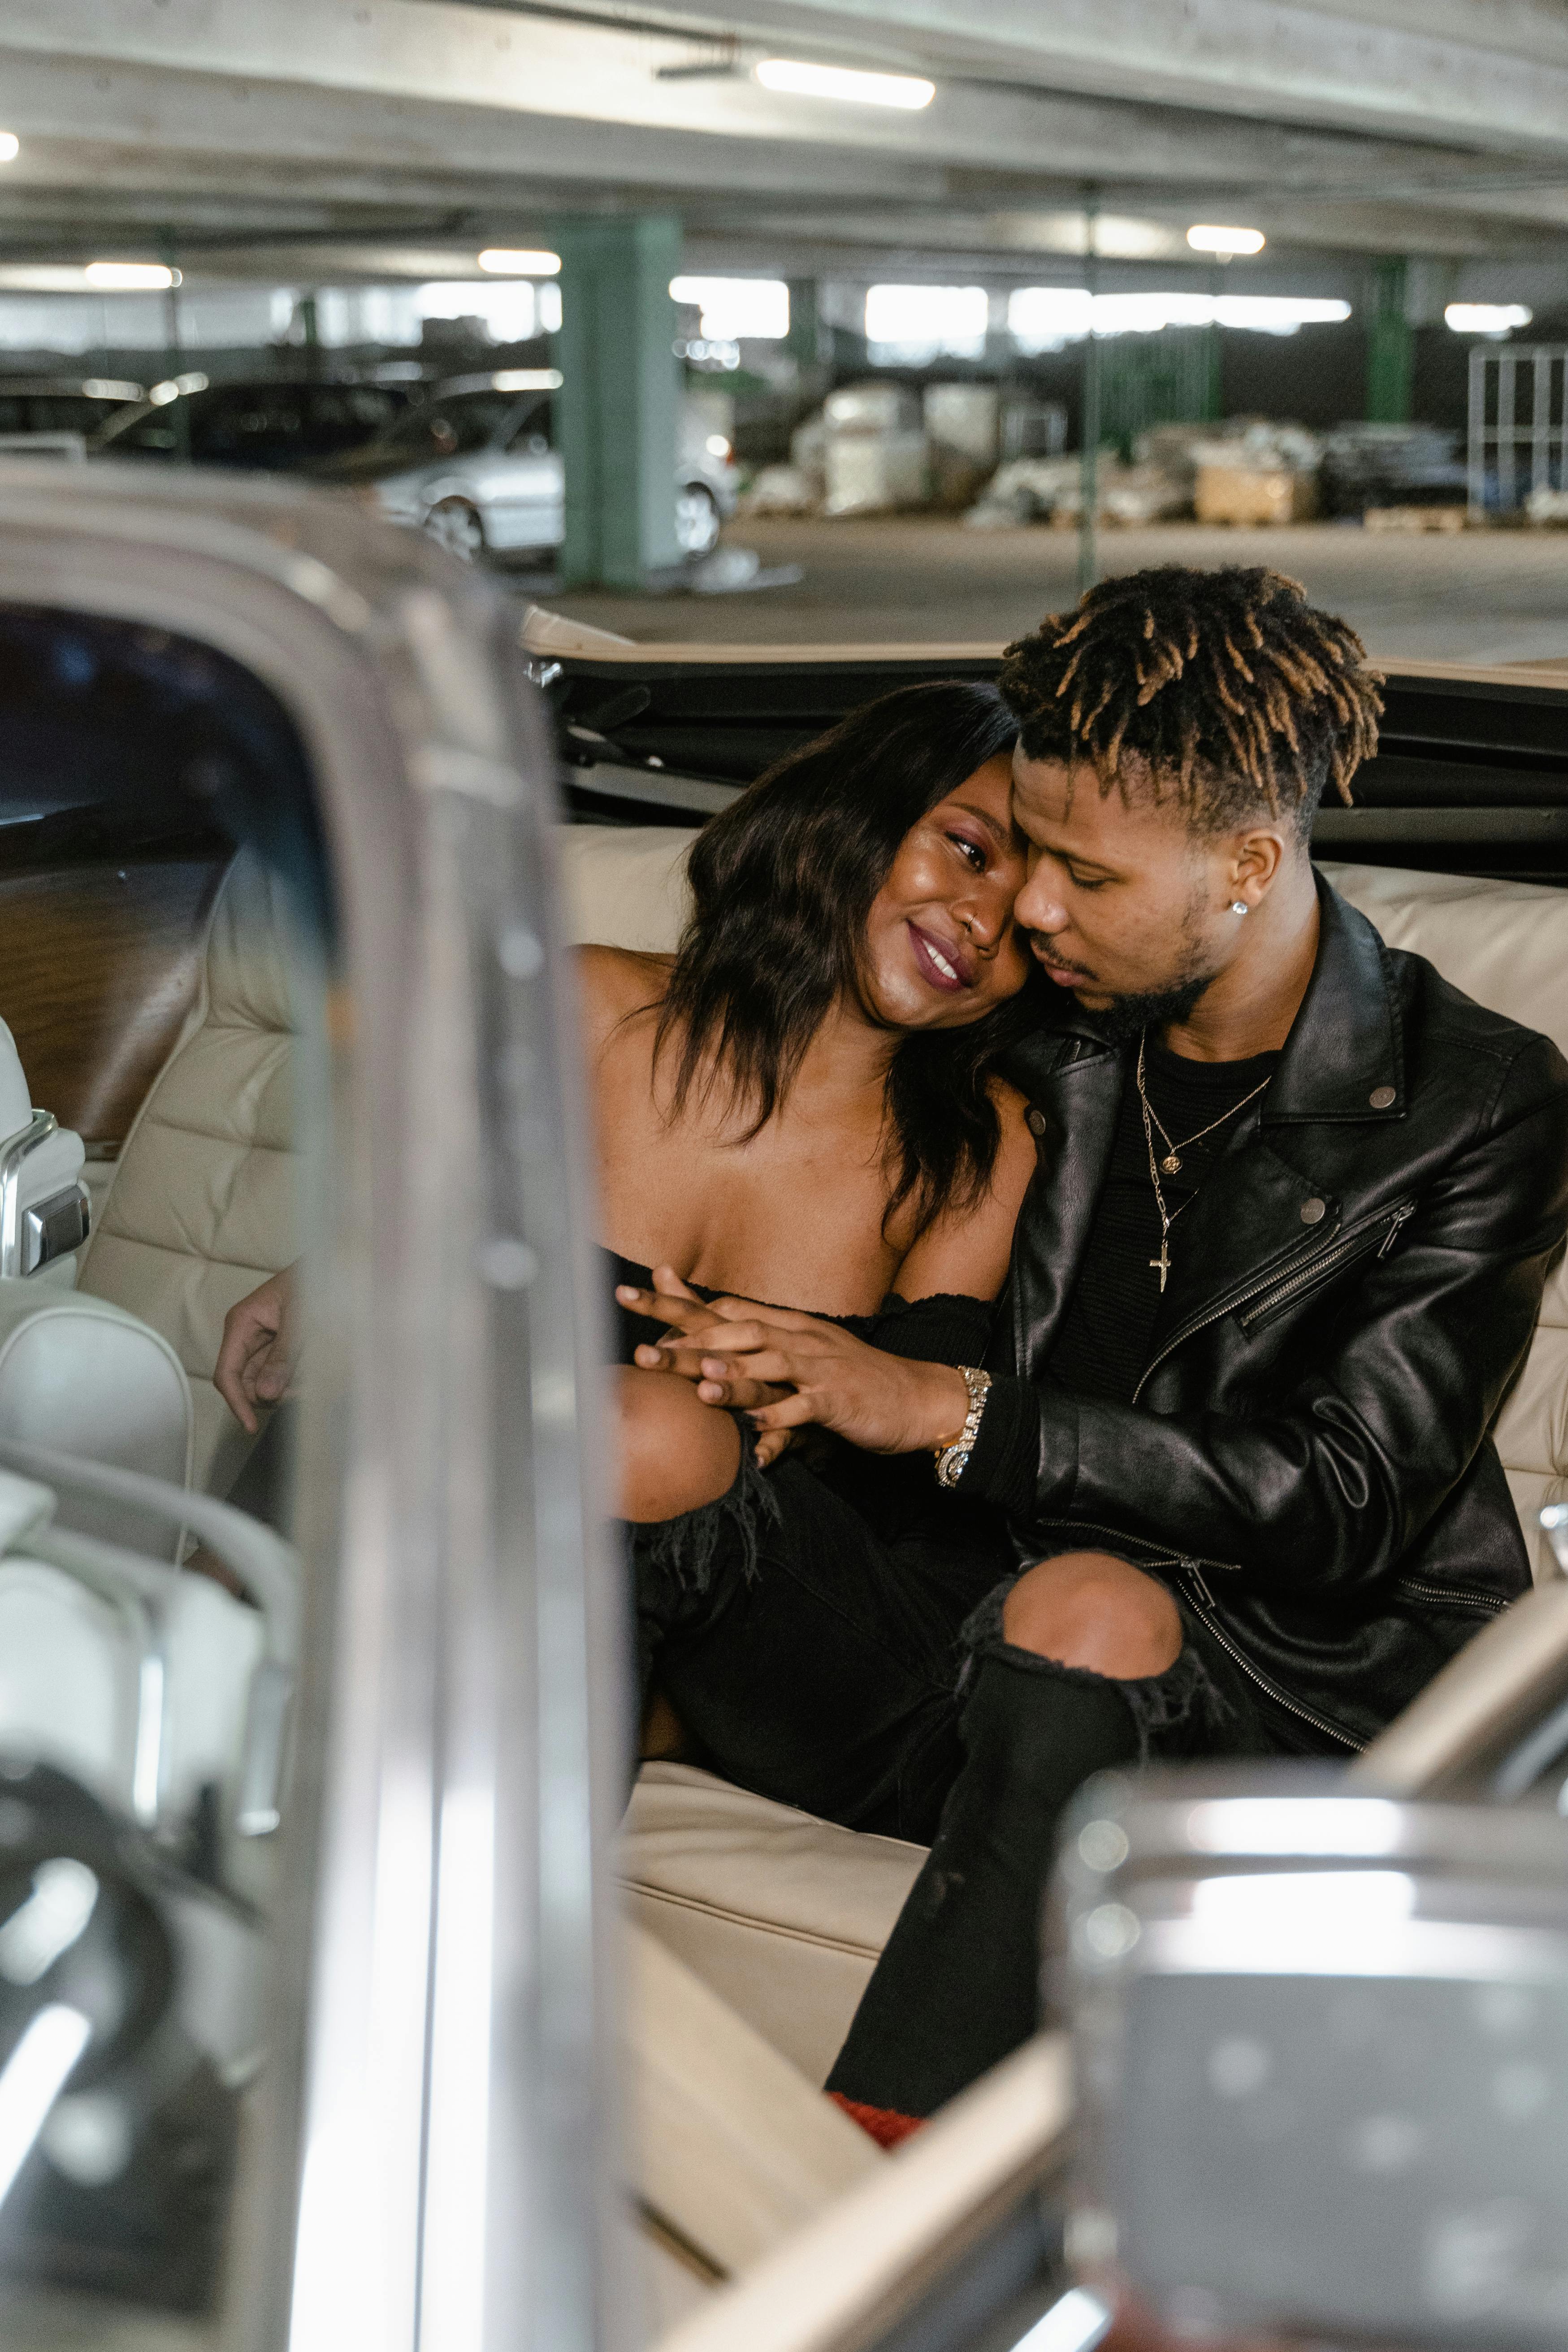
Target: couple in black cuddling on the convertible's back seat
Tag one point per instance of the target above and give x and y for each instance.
(1090, 1269)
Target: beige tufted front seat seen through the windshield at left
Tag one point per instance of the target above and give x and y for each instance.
(201, 1205)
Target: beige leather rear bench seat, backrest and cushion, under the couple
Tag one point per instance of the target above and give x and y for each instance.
(782, 1913)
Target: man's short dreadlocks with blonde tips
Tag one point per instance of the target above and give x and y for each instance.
(1228, 690)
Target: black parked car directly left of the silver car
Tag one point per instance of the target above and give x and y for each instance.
(269, 425)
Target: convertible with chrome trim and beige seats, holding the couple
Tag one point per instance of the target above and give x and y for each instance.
(321, 2017)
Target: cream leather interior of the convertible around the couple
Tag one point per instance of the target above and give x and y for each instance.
(163, 994)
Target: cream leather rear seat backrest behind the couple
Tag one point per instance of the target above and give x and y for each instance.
(1506, 944)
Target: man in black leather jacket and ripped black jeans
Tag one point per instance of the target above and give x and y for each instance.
(1282, 1259)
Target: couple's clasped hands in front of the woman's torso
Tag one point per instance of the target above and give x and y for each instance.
(789, 1370)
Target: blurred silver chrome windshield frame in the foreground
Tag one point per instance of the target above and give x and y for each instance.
(460, 1624)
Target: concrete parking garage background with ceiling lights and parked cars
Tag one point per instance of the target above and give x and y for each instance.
(826, 321)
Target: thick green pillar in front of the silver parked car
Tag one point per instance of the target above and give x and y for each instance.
(619, 401)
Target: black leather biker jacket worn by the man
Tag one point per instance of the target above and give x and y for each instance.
(1308, 1455)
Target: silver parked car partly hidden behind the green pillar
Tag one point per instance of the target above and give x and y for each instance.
(476, 467)
